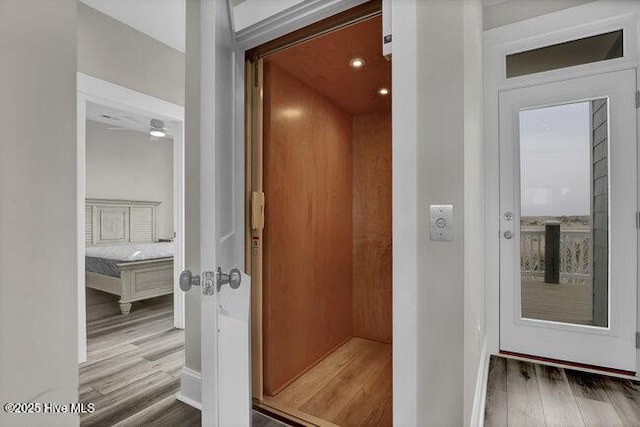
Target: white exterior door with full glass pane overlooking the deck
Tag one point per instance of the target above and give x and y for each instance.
(568, 203)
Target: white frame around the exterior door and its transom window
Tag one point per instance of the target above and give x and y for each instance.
(574, 23)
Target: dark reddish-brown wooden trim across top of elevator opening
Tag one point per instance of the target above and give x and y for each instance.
(332, 23)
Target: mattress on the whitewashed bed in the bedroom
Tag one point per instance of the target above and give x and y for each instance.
(105, 259)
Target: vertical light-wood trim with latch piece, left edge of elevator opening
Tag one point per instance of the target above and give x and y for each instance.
(254, 238)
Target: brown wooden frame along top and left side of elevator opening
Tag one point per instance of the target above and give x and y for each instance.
(254, 172)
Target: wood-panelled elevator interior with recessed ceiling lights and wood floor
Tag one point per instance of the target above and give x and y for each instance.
(326, 258)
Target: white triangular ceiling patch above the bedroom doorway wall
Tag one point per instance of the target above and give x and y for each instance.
(164, 20)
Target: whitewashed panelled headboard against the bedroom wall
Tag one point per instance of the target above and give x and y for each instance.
(109, 222)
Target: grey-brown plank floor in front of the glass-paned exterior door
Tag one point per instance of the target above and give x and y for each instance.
(530, 394)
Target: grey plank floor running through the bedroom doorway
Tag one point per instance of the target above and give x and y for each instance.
(133, 366)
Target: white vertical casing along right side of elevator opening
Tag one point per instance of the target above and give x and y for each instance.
(405, 229)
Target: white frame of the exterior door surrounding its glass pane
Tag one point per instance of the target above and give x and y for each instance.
(611, 346)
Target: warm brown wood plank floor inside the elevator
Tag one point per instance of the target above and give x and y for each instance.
(350, 387)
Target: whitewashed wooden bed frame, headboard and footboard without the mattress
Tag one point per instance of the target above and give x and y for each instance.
(113, 222)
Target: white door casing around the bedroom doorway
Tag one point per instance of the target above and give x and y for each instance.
(92, 89)
